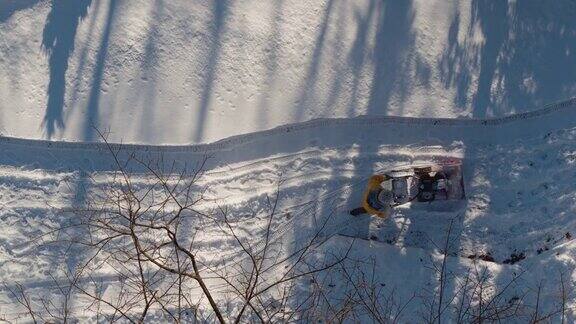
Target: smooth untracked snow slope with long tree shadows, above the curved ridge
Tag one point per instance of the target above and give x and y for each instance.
(179, 72)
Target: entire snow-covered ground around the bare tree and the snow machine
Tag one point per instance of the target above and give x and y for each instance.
(318, 94)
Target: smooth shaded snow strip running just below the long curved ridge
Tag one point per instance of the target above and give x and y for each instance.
(321, 133)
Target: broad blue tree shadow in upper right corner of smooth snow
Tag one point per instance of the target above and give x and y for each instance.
(526, 56)
